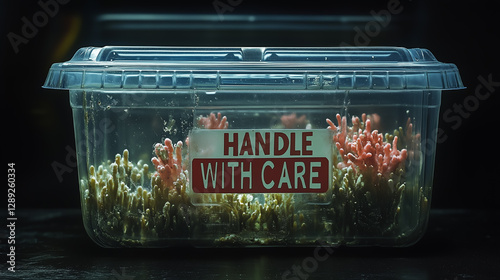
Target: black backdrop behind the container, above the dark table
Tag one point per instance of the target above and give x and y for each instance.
(38, 125)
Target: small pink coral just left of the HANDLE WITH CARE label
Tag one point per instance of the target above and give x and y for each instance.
(168, 163)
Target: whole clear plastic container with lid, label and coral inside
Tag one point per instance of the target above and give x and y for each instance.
(254, 146)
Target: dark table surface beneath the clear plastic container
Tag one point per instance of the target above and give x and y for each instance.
(52, 244)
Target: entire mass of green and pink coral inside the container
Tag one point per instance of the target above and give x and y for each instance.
(128, 204)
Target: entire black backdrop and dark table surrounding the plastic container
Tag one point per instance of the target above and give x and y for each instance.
(462, 238)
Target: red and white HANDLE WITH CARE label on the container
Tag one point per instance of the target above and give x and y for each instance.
(260, 161)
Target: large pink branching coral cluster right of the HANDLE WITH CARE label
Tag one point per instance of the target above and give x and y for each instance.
(365, 149)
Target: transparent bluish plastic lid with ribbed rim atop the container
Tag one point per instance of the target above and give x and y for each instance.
(157, 68)
